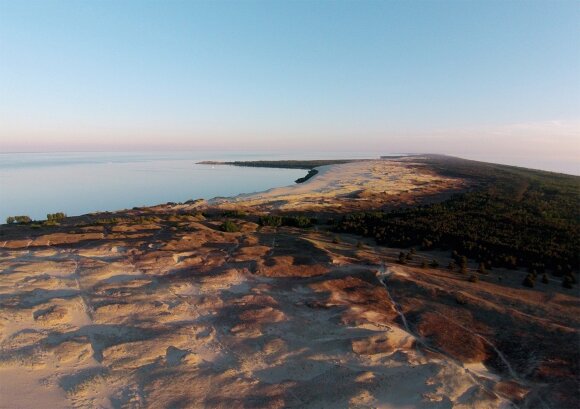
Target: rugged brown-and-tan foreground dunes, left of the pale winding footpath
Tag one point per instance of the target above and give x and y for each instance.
(193, 317)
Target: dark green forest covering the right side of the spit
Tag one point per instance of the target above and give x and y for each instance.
(511, 217)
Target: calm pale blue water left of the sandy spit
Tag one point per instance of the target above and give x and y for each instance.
(35, 184)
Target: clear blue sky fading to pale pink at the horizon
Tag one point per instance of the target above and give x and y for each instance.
(491, 80)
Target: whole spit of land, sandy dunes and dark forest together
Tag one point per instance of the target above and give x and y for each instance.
(407, 281)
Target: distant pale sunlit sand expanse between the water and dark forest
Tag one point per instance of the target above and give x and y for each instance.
(356, 185)
